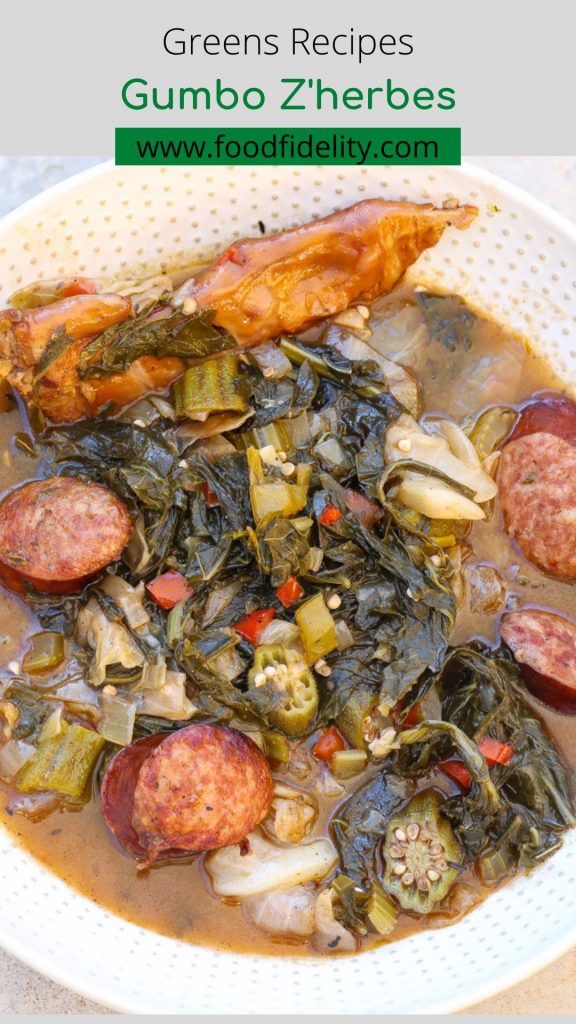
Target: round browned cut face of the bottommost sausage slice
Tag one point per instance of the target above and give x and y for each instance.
(202, 788)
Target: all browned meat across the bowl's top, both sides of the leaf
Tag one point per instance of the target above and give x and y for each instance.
(260, 288)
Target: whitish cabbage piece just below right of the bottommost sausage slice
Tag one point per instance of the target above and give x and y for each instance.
(268, 867)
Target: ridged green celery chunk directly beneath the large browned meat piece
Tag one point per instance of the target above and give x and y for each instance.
(216, 387)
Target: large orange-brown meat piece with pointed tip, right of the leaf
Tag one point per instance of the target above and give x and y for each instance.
(262, 288)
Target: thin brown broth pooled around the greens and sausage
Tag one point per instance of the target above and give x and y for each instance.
(176, 900)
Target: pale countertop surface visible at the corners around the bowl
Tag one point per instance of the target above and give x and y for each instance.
(552, 991)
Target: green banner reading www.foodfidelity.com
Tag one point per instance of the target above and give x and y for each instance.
(295, 146)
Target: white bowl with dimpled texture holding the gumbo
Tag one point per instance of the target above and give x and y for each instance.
(517, 263)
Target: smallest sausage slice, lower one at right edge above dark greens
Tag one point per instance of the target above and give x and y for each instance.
(545, 646)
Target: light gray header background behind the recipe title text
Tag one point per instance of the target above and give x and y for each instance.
(511, 62)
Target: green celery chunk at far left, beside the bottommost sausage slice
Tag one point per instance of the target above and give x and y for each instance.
(63, 763)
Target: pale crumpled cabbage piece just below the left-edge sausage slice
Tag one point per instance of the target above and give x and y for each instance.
(111, 642)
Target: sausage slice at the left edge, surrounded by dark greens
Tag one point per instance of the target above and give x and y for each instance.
(60, 533)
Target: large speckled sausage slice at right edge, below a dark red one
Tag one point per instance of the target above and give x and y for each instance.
(538, 485)
